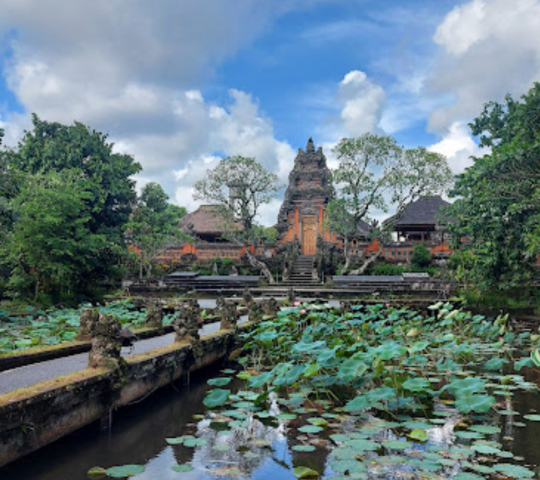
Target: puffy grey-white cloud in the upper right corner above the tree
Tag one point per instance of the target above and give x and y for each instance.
(489, 48)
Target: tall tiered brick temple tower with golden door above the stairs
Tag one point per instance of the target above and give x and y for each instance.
(310, 189)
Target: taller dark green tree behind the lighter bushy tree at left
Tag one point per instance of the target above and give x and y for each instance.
(55, 159)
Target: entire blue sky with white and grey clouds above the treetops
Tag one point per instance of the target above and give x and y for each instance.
(180, 85)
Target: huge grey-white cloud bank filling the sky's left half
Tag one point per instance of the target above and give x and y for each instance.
(128, 68)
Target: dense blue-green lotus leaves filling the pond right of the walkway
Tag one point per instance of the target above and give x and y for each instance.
(376, 381)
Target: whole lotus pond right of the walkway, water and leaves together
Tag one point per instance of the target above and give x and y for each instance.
(376, 392)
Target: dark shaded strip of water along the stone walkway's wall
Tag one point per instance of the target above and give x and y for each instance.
(138, 436)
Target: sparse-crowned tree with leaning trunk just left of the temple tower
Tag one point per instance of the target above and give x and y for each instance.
(240, 186)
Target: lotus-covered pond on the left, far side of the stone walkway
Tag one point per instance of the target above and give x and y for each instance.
(39, 328)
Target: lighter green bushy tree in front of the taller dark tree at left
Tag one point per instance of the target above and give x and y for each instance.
(49, 248)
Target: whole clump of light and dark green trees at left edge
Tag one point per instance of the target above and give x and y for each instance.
(70, 211)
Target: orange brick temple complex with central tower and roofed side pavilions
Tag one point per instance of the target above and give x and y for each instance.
(301, 224)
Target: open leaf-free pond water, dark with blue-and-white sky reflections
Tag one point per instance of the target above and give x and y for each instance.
(138, 437)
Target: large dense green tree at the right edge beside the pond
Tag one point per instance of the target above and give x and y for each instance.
(497, 209)
